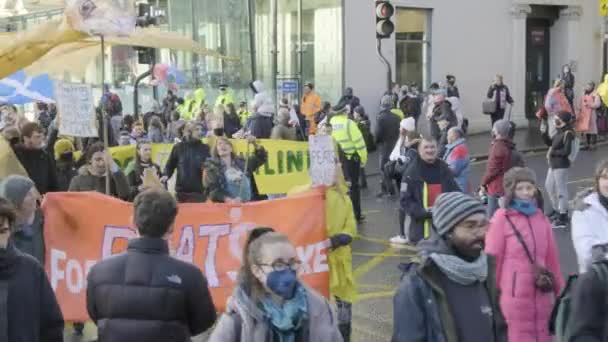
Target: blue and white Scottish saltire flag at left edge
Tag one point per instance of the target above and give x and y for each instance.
(20, 88)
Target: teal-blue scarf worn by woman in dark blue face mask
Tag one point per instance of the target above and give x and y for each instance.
(286, 320)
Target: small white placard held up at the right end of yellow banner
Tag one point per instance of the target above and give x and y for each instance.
(322, 159)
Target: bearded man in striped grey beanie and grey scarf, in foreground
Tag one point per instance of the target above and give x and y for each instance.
(451, 294)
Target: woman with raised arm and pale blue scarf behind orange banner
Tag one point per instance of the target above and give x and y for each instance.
(229, 178)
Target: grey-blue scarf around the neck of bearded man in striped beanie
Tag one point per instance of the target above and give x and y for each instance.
(461, 271)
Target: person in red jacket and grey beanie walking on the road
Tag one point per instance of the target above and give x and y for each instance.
(499, 162)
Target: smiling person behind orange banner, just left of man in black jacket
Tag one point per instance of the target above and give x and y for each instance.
(142, 170)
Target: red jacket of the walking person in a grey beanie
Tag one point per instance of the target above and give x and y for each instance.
(499, 162)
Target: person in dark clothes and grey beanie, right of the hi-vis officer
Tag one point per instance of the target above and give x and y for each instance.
(387, 134)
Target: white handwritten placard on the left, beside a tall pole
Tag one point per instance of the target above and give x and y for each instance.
(75, 109)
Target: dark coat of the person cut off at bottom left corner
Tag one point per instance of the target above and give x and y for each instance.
(29, 311)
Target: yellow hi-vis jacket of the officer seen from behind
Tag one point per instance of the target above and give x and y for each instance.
(349, 137)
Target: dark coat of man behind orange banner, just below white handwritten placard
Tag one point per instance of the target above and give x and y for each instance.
(85, 181)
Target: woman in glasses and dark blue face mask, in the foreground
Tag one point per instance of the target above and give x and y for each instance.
(270, 303)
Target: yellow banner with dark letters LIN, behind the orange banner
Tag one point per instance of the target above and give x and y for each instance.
(287, 166)
